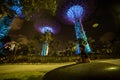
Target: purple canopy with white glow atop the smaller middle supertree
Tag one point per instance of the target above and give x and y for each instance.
(47, 25)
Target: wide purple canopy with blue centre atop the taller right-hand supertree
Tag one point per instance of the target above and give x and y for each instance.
(71, 10)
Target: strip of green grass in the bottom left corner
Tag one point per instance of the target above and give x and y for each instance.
(32, 75)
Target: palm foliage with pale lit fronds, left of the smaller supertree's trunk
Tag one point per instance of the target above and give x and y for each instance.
(14, 48)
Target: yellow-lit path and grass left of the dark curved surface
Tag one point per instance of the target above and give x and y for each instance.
(27, 71)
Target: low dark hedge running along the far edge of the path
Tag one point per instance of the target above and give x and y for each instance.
(49, 59)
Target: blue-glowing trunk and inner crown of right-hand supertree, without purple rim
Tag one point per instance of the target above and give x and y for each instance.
(74, 14)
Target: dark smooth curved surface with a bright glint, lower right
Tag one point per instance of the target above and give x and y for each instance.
(96, 70)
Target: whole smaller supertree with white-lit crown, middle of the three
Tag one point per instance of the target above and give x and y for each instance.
(47, 28)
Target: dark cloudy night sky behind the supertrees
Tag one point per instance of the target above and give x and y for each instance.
(106, 14)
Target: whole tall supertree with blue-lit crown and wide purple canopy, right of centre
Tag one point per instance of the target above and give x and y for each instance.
(73, 12)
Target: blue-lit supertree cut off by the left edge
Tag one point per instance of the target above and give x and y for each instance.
(5, 21)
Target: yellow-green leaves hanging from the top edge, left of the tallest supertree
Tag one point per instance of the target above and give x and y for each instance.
(32, 6)
